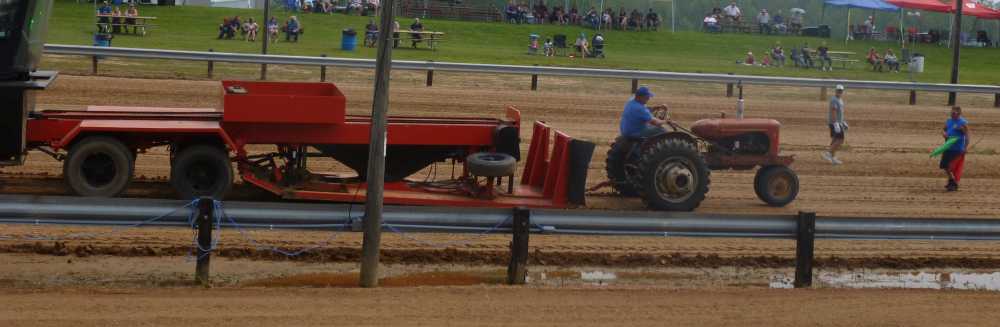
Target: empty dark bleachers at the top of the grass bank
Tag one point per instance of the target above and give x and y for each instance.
(450, 9)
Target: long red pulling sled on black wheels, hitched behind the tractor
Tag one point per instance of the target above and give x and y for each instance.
(302, 120)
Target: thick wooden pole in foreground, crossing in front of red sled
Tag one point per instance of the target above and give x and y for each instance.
(376, 152)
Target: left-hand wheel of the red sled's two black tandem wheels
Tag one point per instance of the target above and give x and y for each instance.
(99, 166)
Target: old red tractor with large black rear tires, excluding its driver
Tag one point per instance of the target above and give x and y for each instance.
(671, 171)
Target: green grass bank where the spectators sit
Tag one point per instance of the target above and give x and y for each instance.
(195, 28)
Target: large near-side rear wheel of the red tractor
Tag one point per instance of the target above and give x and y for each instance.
(673, 175)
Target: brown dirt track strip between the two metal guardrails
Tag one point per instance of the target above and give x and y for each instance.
(886, 172)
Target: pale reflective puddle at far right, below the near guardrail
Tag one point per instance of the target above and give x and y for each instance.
(986, 281)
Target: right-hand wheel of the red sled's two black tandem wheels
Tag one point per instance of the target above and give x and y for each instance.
(201, 170)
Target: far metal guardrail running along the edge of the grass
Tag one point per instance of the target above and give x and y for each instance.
(509, 69)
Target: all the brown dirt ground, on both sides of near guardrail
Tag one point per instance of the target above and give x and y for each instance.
(140, 277)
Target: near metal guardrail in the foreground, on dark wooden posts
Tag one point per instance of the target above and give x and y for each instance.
(88, 211)
